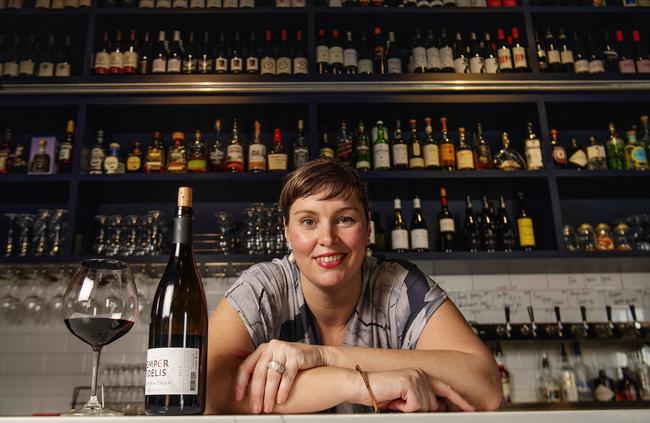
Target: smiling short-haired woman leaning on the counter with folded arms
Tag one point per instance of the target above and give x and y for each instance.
(309, 319)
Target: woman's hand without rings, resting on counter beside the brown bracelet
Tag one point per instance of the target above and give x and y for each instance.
(411, 390)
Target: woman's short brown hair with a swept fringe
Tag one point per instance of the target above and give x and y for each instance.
(332, 178)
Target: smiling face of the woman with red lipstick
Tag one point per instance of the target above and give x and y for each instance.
(328, 239)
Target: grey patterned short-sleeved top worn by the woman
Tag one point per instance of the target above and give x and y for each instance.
(396, 302)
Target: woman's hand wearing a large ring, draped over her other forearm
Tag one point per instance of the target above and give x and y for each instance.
(269, 387)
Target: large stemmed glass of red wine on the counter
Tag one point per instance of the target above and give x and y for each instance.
(100, 305)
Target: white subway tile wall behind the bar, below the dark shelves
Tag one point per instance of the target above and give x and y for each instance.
(40, 366)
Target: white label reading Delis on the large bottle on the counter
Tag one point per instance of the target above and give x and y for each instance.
(172, 371)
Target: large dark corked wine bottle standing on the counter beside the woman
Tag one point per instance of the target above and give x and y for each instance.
(178, 332)
